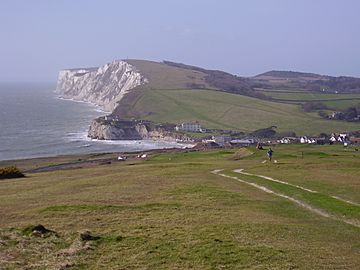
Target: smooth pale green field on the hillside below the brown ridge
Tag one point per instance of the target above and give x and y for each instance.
(216, 109)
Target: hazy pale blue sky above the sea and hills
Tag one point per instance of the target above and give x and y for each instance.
(244, 37)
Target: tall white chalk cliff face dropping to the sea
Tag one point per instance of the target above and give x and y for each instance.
(103, 86)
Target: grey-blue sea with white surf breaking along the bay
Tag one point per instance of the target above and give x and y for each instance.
(34, 122)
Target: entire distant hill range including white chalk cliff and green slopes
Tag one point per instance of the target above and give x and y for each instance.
(169, 92)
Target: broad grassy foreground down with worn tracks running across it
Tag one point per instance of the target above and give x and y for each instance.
(172, 212)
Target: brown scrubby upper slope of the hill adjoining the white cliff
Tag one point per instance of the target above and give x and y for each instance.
(174, 76)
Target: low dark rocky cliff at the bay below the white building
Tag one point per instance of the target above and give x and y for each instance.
(132, 130)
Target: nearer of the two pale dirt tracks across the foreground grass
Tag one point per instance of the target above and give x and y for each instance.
(296, 201)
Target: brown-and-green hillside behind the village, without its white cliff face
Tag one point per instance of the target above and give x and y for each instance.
(178, 93)
